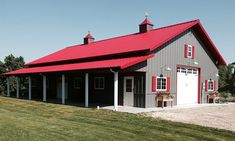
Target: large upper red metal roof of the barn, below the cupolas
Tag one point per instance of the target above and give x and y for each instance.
(127, 44)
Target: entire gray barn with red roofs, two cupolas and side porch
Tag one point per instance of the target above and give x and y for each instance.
(132, 70)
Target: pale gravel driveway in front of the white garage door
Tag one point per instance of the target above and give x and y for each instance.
(220, 116)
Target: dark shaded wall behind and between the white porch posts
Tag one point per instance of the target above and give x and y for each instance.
(100, 87)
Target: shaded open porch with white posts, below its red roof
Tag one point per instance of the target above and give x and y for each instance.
(95, 88)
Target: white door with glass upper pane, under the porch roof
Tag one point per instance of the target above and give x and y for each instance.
(128, 91)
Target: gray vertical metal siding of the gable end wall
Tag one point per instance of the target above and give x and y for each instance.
(170, 55)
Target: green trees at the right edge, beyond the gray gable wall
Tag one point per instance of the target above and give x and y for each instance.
(227, 79)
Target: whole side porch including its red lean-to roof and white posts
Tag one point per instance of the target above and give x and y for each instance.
(96, 83)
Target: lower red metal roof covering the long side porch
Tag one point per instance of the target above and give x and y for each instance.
(112, 63)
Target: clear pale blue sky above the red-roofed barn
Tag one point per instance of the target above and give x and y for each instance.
(35, 28)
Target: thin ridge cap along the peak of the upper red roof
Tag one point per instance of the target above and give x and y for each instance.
(133, 33)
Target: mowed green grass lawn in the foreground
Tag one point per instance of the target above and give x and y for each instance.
(23, 120)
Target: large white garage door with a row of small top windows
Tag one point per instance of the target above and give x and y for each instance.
(187, 86)
